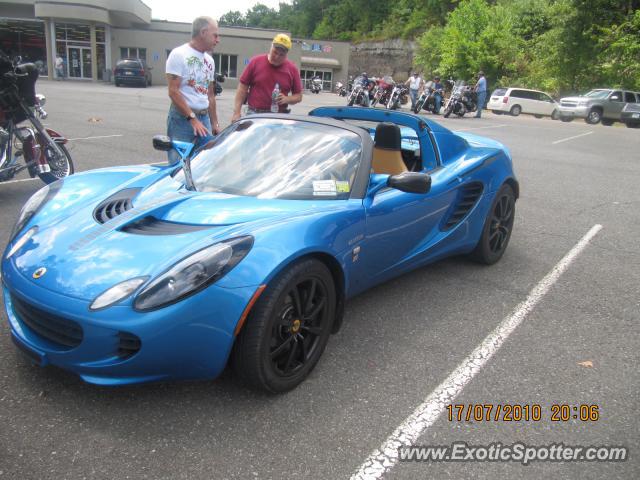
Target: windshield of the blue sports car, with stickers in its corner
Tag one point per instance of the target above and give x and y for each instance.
(277, 158)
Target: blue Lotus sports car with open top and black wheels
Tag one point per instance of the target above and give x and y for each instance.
(246, 251)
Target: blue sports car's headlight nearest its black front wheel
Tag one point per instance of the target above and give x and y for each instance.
(193, 273)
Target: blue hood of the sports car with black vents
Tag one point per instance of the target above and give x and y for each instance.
(83, 258)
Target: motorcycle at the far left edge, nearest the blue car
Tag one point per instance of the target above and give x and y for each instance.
(34, 147)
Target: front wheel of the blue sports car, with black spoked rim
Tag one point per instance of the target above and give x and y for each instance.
(288, 328)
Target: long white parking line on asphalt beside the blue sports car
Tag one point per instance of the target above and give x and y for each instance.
(386, 457)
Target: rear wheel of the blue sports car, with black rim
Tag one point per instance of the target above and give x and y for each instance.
(497, 228)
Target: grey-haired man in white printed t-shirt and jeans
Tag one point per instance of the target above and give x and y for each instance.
(190, 72)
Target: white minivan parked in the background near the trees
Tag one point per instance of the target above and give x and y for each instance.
(521, 100)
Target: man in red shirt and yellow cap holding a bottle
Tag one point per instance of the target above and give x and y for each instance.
(258, 80)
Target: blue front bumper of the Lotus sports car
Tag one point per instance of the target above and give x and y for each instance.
(191, 339)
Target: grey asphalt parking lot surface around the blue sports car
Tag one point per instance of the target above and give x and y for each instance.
(578, 344)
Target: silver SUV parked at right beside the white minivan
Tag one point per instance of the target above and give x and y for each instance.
(598, 105)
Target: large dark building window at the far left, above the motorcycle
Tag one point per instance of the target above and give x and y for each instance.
(25, 39)
